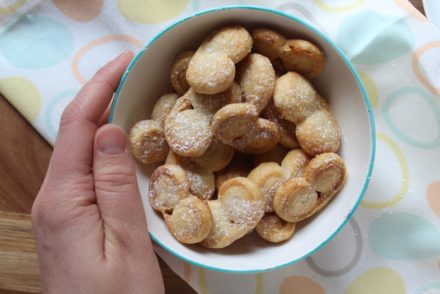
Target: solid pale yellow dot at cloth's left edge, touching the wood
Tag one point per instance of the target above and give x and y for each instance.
(27, 99)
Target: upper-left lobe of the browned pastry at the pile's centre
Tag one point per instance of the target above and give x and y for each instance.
(233, 121)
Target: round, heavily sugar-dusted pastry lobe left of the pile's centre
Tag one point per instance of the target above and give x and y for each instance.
(186, 130)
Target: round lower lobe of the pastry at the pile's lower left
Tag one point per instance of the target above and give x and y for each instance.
(191, 221)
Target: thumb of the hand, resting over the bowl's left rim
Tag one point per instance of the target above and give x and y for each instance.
(116, 187)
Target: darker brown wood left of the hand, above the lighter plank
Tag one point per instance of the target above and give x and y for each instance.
(24, 156)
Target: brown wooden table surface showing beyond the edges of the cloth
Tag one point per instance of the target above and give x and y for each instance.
(24, 156)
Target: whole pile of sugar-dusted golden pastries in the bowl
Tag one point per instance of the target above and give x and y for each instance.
(245, 141)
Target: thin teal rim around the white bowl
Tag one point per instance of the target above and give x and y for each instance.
(366, 100)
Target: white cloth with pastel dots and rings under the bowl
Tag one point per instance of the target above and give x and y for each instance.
(49, 49)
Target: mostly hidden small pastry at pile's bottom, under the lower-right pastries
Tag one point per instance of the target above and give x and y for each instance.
(274, 229)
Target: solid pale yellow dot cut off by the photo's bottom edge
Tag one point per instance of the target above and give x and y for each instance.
(381, 280)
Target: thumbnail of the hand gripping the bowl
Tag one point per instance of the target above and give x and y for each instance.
(111, 140)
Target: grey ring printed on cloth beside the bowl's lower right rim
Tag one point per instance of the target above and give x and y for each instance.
(337, 272)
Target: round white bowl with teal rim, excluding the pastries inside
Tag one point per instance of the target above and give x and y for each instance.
(147, 77)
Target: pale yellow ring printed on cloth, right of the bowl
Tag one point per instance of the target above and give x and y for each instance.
(404, 169)
